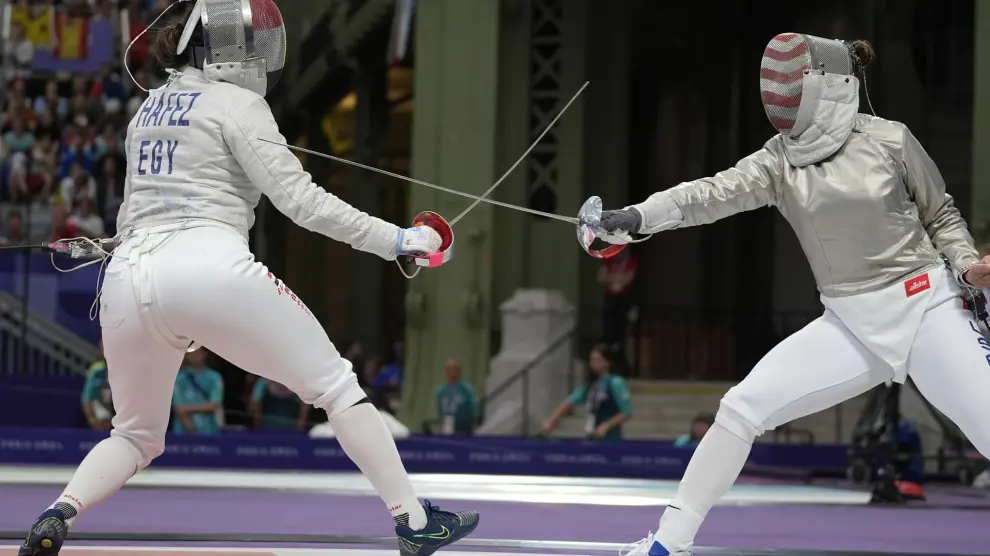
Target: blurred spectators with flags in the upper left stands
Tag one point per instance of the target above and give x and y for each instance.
(65, 110)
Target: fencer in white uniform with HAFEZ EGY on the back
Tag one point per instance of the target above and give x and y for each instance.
(182, 271)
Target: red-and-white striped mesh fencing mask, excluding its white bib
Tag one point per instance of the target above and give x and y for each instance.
(787, 61)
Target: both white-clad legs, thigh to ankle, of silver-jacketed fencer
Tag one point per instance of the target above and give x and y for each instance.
(820, 366)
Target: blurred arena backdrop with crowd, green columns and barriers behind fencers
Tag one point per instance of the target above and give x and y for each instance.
(551, 361)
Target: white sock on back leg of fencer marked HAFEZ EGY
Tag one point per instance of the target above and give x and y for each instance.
(100, 475)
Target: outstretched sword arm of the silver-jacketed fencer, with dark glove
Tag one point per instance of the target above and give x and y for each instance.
(750, 184)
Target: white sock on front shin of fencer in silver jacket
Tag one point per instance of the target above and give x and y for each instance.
(717, 462)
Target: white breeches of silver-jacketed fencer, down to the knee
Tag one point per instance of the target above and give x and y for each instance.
(823, 365)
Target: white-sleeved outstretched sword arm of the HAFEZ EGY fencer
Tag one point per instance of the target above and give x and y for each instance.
(280, 176)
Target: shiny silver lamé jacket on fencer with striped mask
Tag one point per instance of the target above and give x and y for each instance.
(870, 214)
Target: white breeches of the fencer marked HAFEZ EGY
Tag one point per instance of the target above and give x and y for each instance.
(163, 290)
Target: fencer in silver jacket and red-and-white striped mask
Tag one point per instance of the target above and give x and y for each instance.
(889, 251)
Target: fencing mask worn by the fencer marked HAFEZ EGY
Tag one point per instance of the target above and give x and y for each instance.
(243, 42)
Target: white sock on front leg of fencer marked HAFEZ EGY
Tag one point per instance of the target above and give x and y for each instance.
(365, 439)
